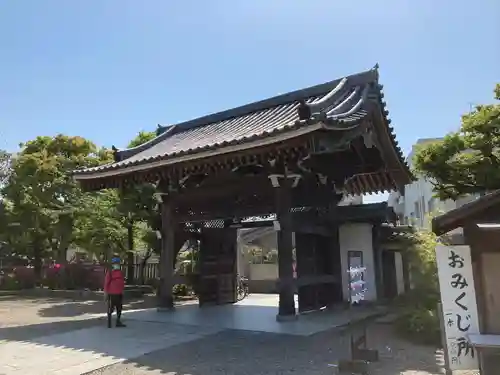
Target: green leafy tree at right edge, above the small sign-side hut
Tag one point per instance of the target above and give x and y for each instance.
(466, 161)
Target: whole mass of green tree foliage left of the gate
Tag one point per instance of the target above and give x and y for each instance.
(44, 212)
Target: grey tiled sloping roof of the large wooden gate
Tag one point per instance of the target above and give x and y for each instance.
(340, 104)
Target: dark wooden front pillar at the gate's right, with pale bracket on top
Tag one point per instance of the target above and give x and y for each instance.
(286, 285)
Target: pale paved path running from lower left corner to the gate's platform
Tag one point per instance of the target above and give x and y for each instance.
(88, 349)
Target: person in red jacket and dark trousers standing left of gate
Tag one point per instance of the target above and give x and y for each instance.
(114, 284)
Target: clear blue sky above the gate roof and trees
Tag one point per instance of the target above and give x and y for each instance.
(107, 69)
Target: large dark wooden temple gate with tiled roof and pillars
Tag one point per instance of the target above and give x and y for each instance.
(293, 155)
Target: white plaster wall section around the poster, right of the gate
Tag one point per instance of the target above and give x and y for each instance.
(358, 237)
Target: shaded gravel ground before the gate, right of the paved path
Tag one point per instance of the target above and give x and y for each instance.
(245, 353)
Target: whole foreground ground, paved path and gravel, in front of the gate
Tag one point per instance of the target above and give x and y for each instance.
(36, 333)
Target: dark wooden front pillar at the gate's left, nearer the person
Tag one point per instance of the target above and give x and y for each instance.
(165, 297)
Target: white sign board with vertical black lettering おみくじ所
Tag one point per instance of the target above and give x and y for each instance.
(458, 297)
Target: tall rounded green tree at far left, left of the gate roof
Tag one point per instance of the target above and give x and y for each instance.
(41, 196)
